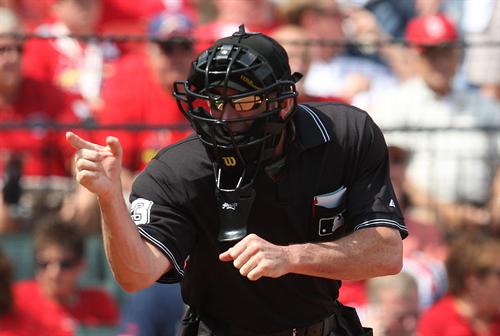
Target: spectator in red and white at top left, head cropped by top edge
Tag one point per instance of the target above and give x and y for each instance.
(76, 66)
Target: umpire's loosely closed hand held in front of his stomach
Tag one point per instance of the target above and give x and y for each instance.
(256, 257)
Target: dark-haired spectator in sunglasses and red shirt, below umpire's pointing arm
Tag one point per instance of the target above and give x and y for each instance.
(53, 298)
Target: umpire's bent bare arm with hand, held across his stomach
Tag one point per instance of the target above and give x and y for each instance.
(363, 254)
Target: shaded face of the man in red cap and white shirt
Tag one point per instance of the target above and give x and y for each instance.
(437, 67)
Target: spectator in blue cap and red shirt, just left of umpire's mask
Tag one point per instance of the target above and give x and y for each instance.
(139, 93)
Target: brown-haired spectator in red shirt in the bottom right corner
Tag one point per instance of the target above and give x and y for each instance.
(472, 306)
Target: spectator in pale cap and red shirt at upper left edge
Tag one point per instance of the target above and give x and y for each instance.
(24, 99)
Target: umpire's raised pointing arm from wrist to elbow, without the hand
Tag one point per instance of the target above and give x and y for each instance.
(134, 263)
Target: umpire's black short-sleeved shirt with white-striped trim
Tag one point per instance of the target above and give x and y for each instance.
(335, 181)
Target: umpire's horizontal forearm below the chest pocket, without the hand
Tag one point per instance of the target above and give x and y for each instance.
(363, 254)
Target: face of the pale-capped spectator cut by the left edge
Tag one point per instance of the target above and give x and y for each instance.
(10, 61)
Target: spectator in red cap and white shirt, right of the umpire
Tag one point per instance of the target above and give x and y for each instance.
(453, 162)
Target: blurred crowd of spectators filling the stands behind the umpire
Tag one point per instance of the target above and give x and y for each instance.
(427, 72)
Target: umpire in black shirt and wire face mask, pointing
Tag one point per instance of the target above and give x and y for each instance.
(263, 210)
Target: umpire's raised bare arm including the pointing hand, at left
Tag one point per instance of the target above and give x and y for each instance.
(135, 263)
